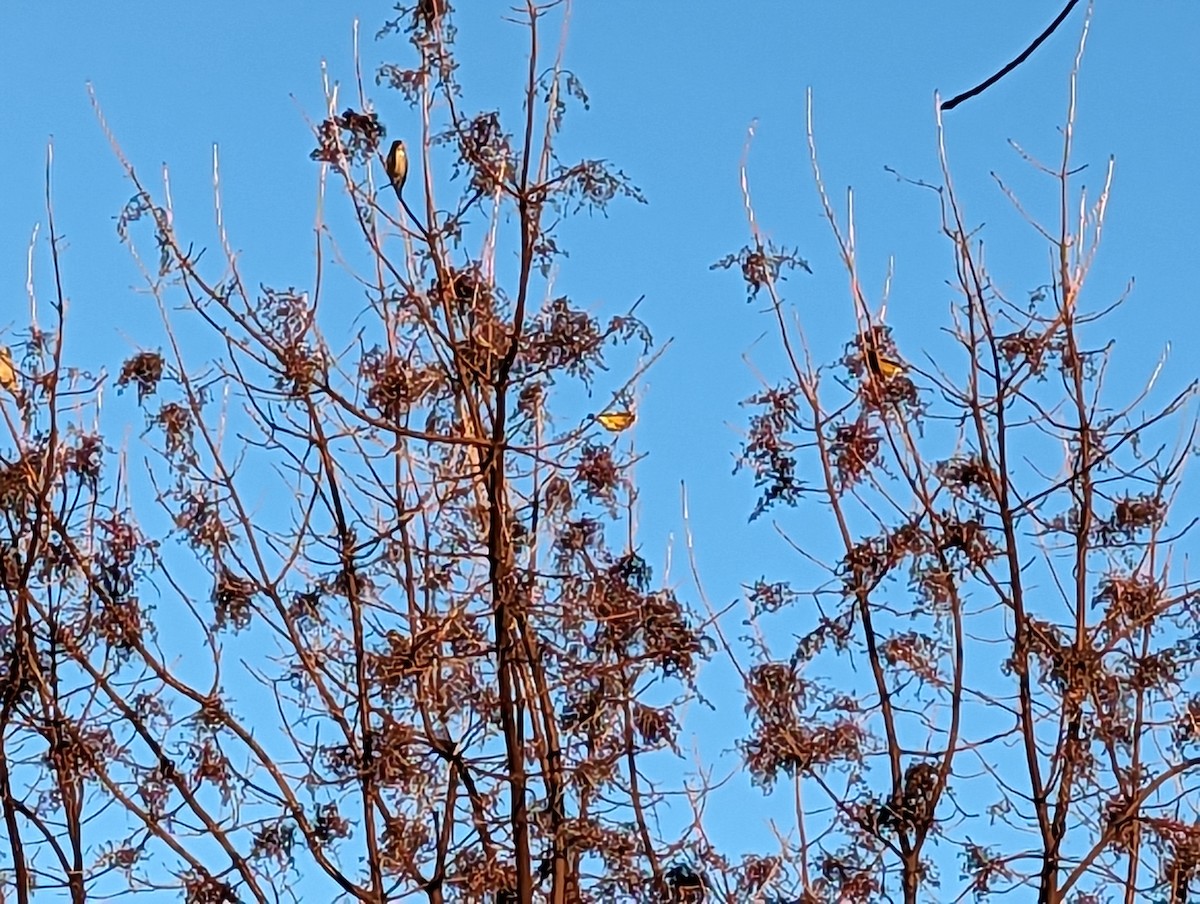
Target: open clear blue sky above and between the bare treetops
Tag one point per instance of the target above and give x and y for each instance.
(674, 87)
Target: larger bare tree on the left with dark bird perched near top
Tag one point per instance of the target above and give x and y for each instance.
(398, 639)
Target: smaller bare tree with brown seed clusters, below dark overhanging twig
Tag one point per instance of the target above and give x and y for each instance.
(1006, 614)
